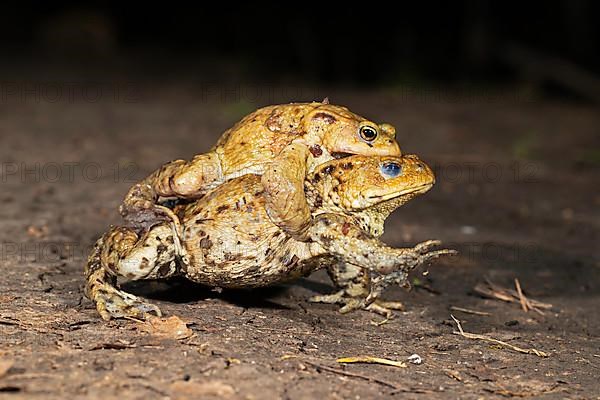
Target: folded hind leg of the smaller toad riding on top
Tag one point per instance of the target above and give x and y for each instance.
(179, 178)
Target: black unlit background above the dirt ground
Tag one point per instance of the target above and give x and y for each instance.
(453, 43)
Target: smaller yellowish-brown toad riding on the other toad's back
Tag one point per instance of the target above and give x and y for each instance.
(282, 143)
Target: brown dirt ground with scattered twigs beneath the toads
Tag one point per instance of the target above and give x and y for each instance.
(517, 195)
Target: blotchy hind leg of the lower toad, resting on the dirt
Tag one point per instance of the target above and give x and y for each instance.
(120, 252)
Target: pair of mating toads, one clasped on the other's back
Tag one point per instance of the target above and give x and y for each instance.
(287, 190)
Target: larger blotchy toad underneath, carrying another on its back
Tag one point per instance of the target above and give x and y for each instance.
(229, 241)
